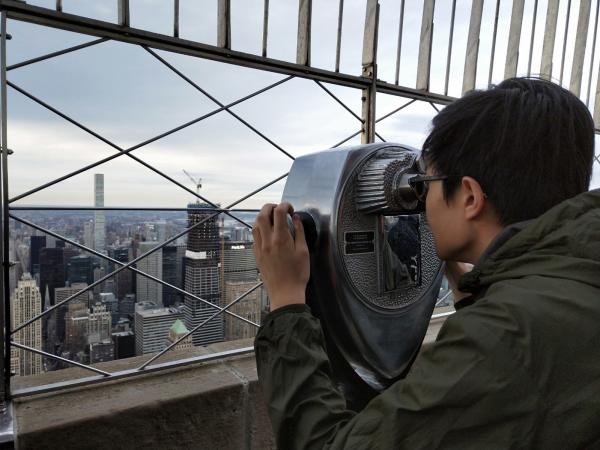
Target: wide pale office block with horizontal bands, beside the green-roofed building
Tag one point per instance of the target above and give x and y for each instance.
(152, 328)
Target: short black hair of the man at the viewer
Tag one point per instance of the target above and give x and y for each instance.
(527, 141)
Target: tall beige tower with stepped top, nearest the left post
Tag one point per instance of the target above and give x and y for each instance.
(26, 302)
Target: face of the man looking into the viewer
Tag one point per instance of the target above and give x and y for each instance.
(446, 220)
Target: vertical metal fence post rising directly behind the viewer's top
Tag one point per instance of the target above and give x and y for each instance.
(369, 70)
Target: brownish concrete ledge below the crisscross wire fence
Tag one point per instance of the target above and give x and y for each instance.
(212, 405)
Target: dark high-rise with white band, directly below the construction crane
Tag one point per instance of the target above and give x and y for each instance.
(202, 275)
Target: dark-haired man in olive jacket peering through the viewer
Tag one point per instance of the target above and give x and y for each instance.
(517, 366)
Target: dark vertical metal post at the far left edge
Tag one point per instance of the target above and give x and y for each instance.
(4, 242)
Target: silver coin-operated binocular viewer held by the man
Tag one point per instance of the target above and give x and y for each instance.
(375, 276)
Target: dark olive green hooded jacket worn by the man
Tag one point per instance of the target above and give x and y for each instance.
(519, 367)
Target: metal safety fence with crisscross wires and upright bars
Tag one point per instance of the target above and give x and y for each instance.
(367, 82)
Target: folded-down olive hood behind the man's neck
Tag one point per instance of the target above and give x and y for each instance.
(564, 242)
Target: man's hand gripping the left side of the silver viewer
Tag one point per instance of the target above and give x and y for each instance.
(283, 262)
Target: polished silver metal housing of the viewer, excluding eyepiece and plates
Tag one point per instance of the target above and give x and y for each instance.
(376, 333)
